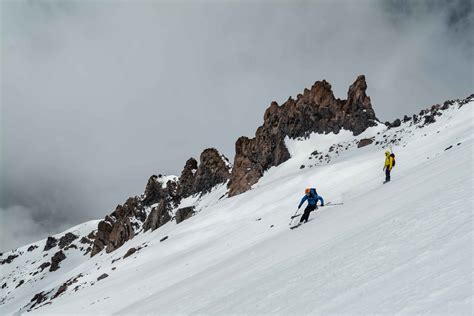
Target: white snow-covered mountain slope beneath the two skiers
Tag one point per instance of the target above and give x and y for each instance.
(404, 247)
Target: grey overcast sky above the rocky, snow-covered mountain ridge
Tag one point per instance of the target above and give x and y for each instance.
(96, 96)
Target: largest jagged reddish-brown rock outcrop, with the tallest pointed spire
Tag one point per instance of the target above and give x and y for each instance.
(316, 110)
